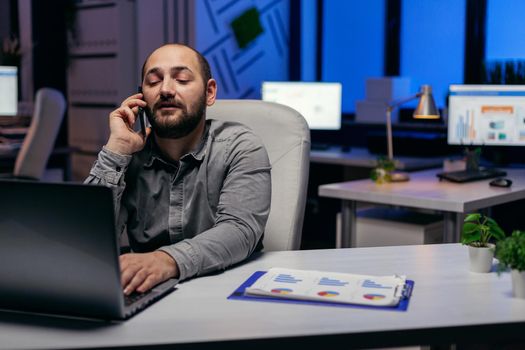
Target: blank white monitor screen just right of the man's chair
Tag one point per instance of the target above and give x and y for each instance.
(319, 103)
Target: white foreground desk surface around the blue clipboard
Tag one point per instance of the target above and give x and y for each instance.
(448, 304)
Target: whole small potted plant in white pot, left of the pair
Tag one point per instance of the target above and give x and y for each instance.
(478, 232)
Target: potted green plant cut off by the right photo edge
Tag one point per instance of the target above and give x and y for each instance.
(511, 255)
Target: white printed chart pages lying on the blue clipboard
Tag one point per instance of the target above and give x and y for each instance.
(330, 287)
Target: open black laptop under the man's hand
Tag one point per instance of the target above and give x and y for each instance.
(59, 252)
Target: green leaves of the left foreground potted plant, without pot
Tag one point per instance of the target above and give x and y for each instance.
(479, 229)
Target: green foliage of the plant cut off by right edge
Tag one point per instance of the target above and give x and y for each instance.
(511, 252)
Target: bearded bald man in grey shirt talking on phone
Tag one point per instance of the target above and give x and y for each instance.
(193, 195)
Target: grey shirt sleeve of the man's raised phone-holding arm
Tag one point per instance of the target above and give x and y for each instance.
(108, 170)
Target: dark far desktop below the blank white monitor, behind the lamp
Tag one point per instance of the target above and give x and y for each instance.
(361, 157)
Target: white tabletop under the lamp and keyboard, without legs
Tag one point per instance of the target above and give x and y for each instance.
(424, 190)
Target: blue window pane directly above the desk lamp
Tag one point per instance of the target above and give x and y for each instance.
(432, 44)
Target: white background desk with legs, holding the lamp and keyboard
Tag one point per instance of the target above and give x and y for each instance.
(424, 191)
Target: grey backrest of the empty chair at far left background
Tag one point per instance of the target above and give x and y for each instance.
(31, 161)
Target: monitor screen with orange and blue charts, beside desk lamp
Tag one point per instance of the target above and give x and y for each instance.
(486, 115)
